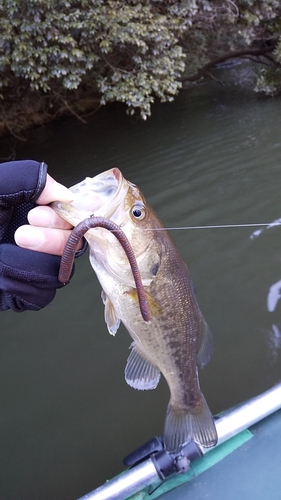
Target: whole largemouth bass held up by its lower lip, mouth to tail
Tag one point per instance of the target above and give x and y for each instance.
(177, 338)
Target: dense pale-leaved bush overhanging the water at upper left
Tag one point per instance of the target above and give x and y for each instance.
(129, 51)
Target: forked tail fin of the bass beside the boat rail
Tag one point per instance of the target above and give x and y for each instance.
(195, 423)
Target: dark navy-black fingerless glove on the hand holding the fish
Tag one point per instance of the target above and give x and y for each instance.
(28, 279)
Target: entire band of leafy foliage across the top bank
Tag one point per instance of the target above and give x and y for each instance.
(129, 51)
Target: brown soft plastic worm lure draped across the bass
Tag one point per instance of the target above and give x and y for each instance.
(71, 247)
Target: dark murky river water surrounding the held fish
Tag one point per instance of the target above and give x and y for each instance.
(211, 157)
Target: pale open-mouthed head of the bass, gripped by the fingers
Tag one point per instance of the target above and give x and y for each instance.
(111, 196)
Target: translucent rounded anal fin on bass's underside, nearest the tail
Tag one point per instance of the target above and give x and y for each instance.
(140, 373)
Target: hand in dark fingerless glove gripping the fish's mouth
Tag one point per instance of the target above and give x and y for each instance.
(28, 278)
